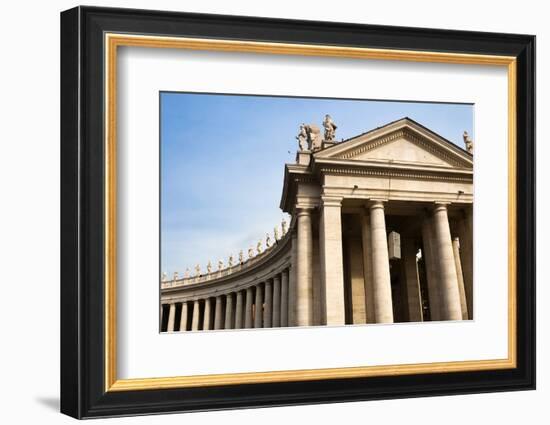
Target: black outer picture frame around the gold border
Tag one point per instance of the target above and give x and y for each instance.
(83, 392)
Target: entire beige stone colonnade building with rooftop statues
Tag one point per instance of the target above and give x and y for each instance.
(381, 232)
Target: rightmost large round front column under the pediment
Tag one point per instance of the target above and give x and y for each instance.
(450, 297)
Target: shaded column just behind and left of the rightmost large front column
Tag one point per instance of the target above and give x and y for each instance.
(432, 274)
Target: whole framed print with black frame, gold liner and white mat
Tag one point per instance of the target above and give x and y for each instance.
(261, 212)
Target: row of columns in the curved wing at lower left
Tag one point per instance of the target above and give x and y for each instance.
(263, 305)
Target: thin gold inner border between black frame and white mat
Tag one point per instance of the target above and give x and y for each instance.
(113, 40)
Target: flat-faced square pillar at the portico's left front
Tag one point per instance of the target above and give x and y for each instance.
(331, 256)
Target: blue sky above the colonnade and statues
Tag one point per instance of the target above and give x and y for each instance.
(223, 156)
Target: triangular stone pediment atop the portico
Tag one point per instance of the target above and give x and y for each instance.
(401, 142)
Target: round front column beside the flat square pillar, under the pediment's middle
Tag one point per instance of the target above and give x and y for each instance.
(383, 307)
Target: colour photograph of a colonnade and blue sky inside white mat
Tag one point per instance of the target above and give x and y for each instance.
(280, 211)
